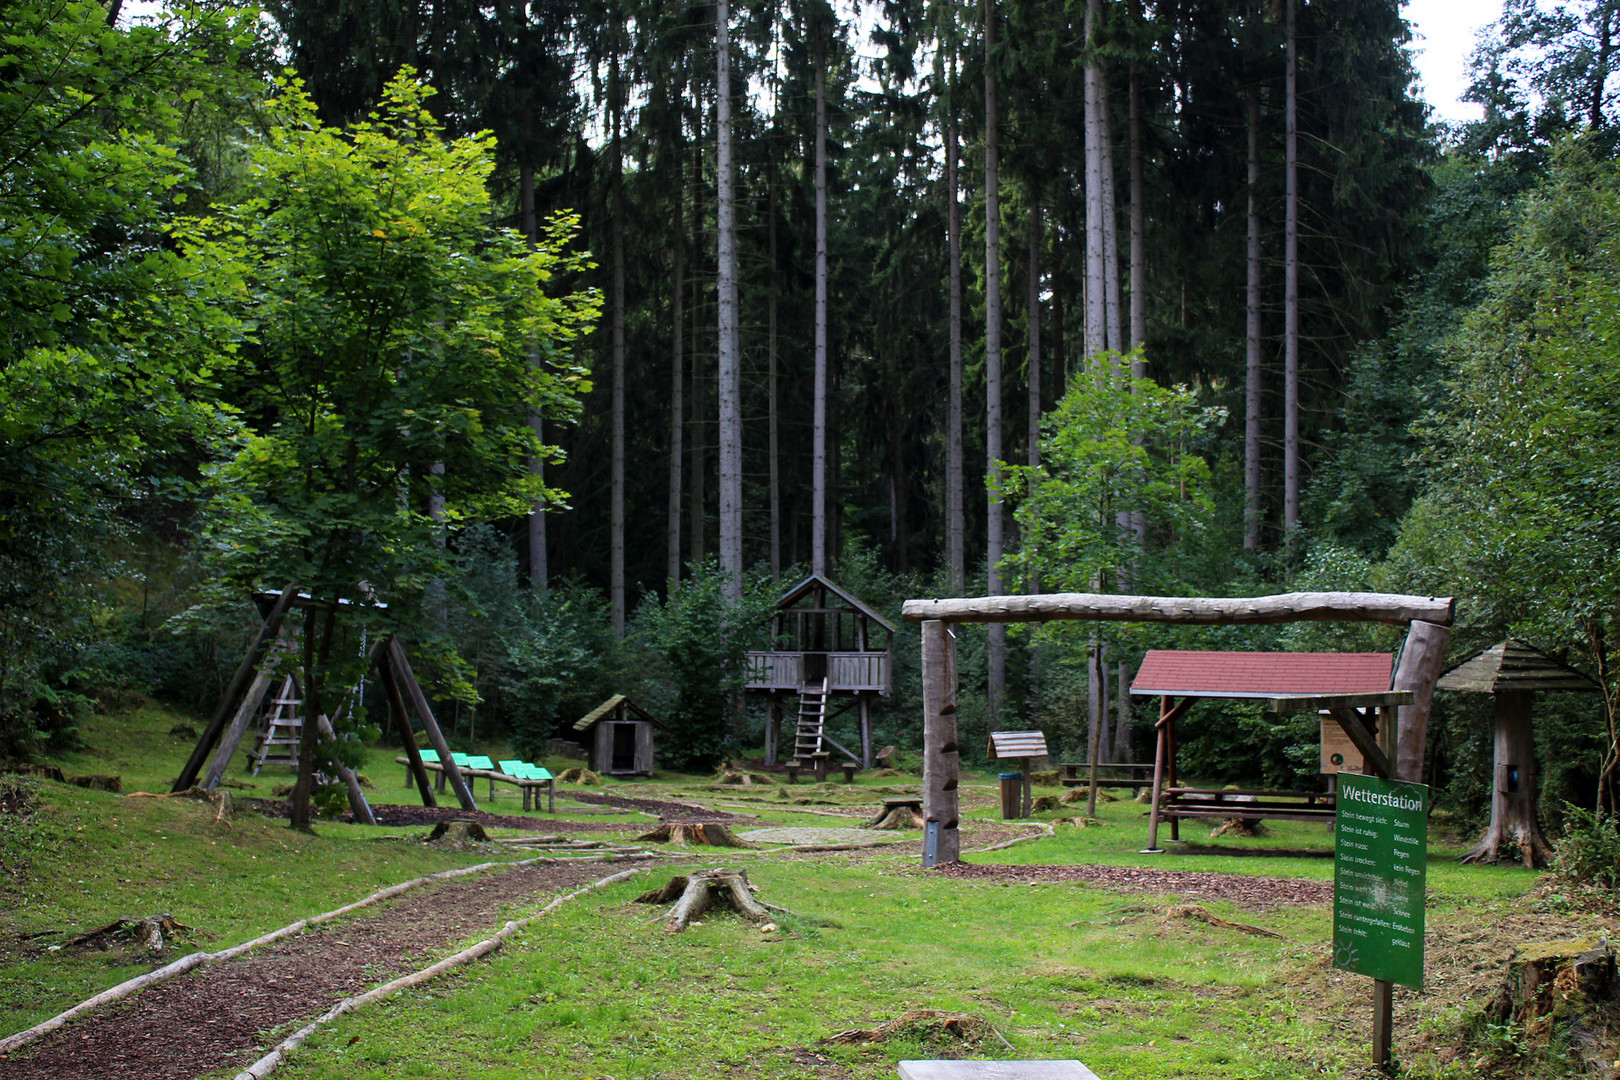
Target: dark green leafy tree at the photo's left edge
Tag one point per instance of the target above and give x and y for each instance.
(103, 381)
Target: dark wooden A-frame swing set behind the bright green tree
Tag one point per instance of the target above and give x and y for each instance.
(257, 674)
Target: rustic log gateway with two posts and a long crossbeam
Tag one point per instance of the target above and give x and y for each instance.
(1426, 618)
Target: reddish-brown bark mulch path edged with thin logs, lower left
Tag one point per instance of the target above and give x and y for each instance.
(220, 1014)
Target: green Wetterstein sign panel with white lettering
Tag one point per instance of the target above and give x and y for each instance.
(1381, 838)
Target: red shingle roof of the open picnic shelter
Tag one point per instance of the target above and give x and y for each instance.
(1261, 674)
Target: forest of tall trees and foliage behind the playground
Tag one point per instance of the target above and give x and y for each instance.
(936, 299)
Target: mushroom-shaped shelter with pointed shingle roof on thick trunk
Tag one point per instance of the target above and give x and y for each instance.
(1512, 673)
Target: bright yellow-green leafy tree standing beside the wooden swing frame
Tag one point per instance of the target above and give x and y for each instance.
(385, 385)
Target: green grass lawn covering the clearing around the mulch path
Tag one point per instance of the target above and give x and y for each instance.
(600, 990)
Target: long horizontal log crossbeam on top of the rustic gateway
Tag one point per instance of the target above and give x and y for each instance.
(1201, 611)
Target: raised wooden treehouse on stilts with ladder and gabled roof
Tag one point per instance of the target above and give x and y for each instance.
(832, 655)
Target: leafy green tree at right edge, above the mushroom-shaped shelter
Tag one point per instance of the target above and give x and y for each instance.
(1524, 509)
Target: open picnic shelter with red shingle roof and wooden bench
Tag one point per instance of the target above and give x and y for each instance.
(1344, 684)
